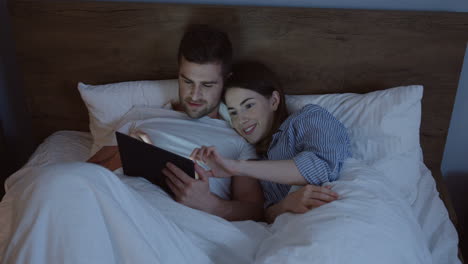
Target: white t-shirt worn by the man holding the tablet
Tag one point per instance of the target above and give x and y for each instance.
(178, 133)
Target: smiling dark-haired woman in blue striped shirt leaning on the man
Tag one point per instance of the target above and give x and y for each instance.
(306, 148)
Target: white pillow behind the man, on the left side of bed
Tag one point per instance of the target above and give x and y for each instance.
(109, 102)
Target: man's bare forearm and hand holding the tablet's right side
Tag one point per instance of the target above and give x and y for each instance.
(246, 202)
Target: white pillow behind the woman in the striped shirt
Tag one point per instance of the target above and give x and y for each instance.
(383, 127)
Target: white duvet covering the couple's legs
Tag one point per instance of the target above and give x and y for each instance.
(95, 216)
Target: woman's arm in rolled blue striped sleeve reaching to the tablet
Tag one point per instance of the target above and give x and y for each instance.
(317, 141)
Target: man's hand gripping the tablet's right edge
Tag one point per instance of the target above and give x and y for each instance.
(189, 191)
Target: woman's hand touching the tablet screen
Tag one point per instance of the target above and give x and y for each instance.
(220, 167)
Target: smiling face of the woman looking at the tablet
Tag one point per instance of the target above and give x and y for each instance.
(252, 114)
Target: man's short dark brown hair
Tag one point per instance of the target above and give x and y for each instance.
(204, 44)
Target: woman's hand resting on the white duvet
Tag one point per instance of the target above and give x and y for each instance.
(307, 198)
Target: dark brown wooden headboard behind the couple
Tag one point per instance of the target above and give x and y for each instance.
(59, 43)
